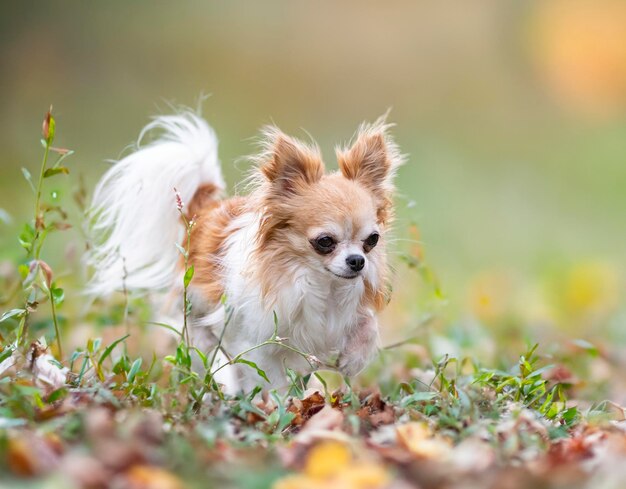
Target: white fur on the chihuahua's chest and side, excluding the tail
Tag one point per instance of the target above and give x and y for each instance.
(315, 312)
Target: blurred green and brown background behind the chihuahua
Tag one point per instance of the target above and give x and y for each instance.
(513, 201)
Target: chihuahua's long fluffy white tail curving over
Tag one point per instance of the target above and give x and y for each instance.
(134, 221)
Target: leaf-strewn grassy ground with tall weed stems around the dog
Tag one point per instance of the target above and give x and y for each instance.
(118, 410)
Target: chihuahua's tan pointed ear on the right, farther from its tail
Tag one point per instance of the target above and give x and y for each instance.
(372, 159)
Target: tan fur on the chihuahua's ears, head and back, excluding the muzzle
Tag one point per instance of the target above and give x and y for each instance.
(294, 196)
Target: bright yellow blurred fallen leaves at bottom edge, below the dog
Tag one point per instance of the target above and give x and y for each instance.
(331, 465)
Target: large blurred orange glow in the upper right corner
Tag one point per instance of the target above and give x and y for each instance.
(579, 48)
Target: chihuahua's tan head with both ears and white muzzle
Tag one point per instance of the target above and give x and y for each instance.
(332, 224)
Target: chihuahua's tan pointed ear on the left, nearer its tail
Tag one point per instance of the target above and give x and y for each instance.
(287, 163)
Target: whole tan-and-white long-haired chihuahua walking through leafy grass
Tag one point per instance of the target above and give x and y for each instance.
(300, 258)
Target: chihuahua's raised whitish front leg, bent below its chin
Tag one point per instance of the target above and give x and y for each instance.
(361, 345)
